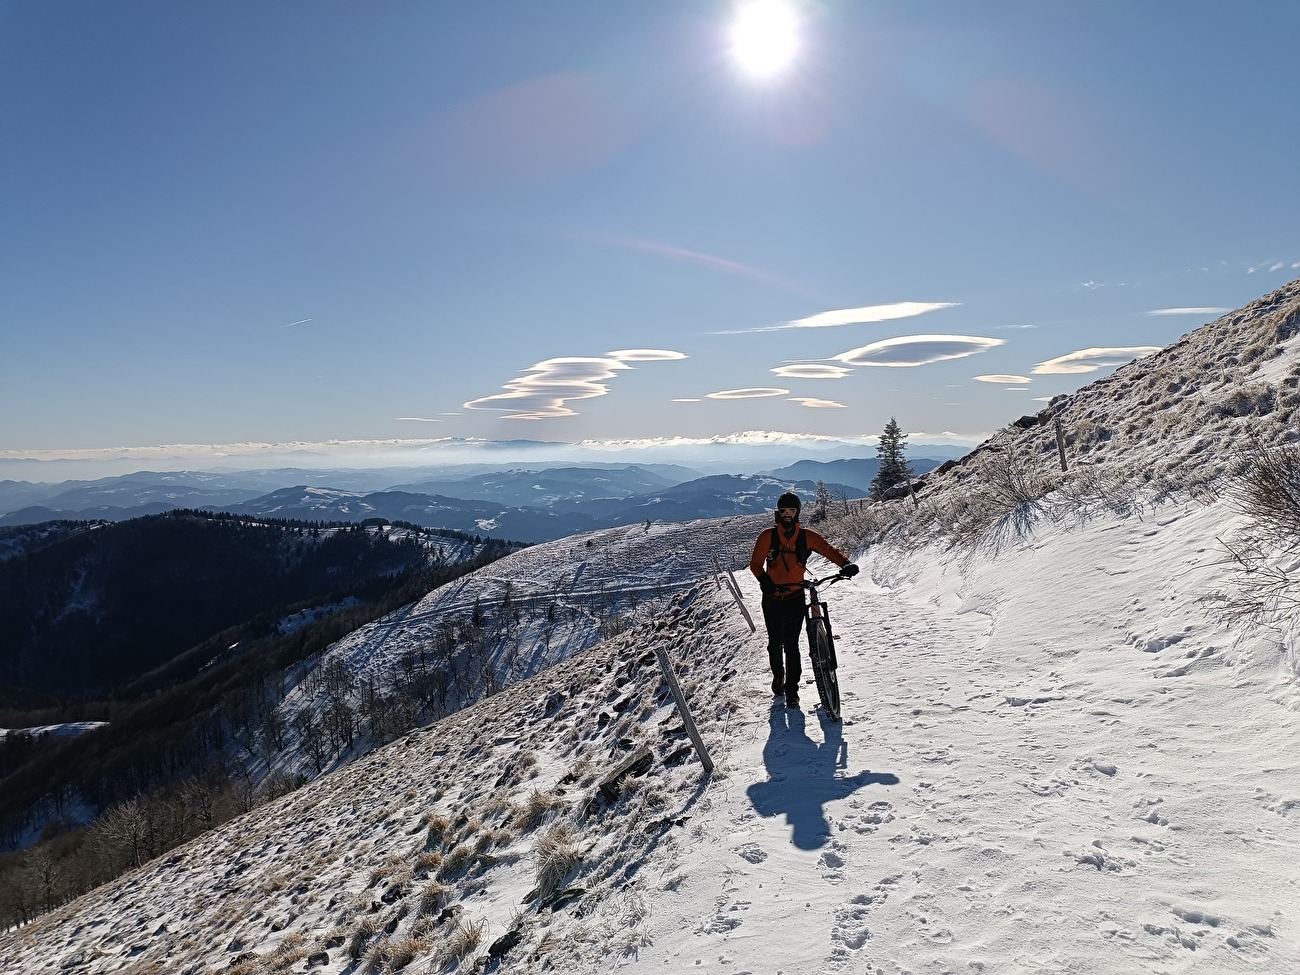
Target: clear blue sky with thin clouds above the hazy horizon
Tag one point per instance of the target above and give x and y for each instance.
(306, 223)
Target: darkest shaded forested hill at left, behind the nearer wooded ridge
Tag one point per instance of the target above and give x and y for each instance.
(97, 608)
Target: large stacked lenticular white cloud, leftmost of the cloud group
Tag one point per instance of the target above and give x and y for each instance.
(547, 389)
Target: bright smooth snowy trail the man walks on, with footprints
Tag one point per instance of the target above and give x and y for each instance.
(1021, 778)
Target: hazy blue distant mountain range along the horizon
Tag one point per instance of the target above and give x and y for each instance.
(517, 504)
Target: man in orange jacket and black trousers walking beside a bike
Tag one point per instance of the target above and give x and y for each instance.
(778, 561)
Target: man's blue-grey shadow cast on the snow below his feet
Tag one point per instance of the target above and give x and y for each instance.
(801, 775)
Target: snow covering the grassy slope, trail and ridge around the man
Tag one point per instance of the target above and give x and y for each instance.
(1056, 757)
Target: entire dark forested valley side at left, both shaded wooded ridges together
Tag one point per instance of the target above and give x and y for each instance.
(174, 630)
